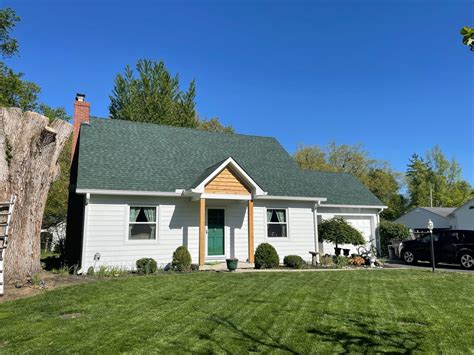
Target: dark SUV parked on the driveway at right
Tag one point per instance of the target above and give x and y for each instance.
(450, 246)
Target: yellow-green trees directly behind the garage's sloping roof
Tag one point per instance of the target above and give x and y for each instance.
(375, 174)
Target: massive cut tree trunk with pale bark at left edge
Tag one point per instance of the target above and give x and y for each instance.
(29, 149)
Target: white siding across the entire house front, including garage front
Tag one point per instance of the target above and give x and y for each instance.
(106, 230)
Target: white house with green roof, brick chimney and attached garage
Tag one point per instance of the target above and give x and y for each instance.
(141, 190)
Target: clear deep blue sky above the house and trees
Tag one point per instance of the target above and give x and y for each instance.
(389, 74)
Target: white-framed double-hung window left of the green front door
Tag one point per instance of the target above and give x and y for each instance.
(142, 223)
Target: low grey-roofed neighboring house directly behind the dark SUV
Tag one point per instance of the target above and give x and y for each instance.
(417, 218)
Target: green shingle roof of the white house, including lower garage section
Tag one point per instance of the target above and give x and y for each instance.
(124, 155)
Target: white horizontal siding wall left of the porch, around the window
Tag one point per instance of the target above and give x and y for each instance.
(107, 234)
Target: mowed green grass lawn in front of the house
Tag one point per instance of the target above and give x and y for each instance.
(333, 311)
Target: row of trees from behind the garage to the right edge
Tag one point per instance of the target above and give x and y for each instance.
(433, 171)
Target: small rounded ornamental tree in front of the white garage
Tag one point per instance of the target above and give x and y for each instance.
(338, 231)
